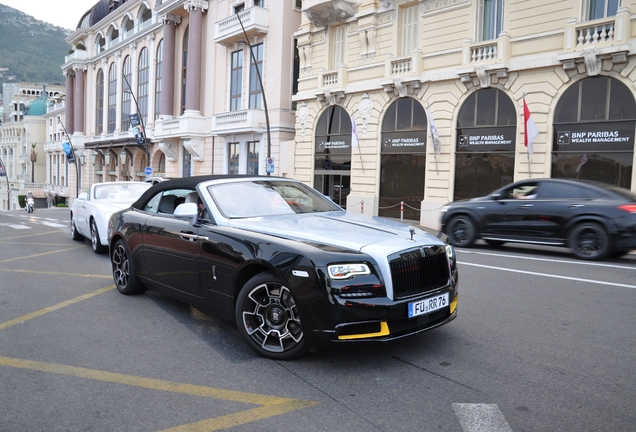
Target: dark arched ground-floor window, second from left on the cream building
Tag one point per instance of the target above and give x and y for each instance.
(403, 161)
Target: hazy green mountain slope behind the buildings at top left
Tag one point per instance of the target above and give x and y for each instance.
(30, 49)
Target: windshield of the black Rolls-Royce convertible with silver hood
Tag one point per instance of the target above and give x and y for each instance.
(268, 198)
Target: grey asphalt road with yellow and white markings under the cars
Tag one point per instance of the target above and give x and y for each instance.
(542, 342)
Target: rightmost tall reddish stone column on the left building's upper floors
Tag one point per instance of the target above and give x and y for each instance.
(195, 8)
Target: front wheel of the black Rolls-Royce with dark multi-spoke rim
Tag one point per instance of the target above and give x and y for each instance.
(267, 318)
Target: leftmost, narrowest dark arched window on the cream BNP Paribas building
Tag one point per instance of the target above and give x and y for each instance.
(332, 162)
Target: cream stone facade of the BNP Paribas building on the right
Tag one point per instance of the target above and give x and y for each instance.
(395, 68)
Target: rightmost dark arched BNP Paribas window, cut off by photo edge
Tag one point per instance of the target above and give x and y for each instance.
(594, 126)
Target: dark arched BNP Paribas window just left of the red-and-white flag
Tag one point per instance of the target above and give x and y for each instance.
(486, 137)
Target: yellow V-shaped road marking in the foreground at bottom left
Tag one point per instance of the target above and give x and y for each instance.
(270, 405)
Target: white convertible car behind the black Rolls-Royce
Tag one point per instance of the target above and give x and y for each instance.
(92, 209)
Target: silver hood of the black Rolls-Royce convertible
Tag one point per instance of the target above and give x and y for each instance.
(342, 229)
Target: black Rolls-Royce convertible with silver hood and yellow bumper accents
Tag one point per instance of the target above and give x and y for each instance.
(291, 268)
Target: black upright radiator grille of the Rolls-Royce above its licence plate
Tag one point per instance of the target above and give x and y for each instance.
(419, 271)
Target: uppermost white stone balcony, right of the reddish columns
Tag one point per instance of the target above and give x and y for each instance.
(255, 20)
